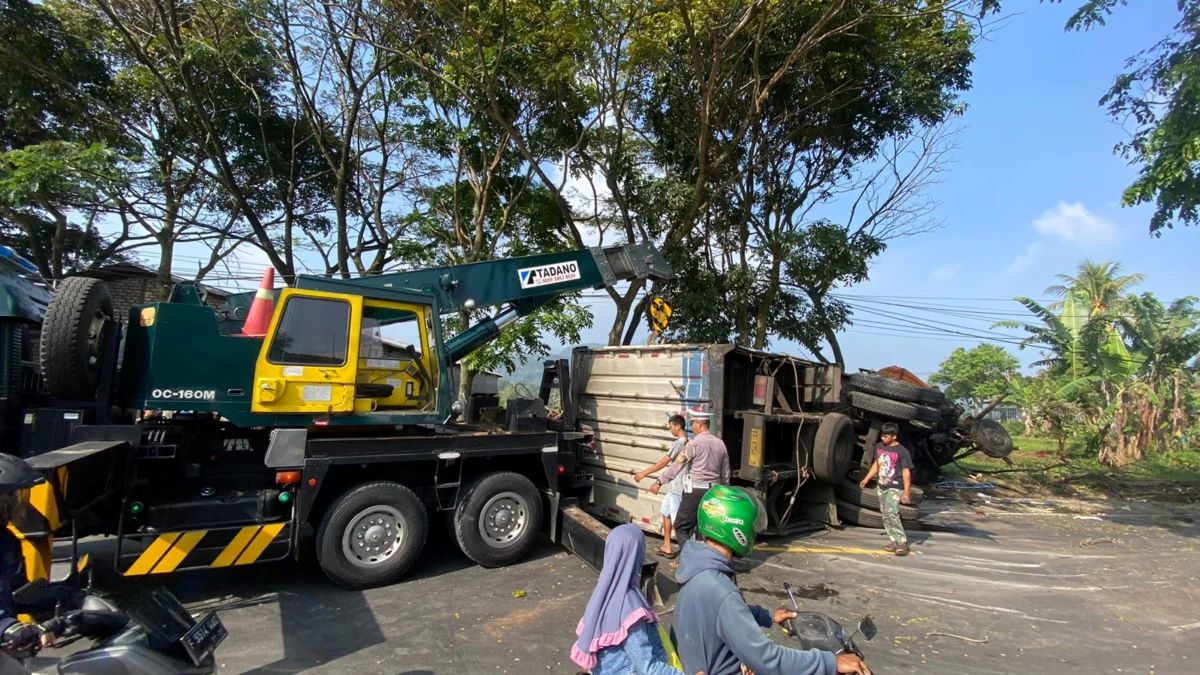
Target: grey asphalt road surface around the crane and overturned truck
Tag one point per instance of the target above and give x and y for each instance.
(1006, 587)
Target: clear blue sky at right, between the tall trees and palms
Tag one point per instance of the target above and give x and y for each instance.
(1035, 186)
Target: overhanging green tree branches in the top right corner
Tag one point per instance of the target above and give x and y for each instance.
(1160, 95)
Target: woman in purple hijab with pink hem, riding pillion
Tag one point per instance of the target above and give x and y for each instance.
(619, 632)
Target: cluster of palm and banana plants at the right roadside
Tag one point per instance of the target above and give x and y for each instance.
(1119, 366)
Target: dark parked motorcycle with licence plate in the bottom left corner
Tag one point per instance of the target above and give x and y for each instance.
(154, 636)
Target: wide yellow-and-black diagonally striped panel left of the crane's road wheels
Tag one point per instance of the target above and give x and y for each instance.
(163, 553)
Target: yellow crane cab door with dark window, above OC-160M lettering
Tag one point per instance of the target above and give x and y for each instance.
(309, 362)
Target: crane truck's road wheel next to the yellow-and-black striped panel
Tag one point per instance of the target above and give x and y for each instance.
(371, 535)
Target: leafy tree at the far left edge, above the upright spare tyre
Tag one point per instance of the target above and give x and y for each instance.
(59, 160)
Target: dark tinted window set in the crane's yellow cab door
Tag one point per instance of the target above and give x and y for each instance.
(313, 332)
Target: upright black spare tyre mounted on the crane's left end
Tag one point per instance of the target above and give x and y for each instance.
(70, 350)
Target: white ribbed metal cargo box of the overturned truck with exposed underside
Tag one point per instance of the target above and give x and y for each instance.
(767, 408)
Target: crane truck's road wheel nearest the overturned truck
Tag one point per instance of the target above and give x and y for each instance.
(499, 519)
